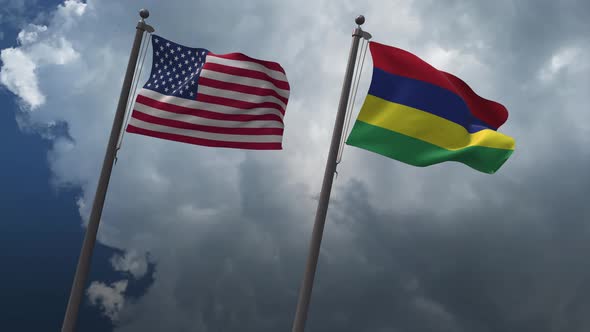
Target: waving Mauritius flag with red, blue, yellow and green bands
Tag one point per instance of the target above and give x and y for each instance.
(422, 116)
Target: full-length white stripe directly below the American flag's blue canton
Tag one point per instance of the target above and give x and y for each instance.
(206, 106)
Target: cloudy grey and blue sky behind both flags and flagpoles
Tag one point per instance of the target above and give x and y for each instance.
(201, 239)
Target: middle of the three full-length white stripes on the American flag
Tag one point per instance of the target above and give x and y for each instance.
(204, 121)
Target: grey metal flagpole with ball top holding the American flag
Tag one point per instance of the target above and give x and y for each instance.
(83, 268)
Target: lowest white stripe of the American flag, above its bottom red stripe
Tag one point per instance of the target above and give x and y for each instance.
(206, 135)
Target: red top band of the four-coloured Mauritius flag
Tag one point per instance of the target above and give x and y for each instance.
(399, 62)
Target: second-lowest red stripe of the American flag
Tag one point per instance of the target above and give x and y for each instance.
(209, 129)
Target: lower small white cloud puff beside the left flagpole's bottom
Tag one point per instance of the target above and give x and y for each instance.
(109, 299)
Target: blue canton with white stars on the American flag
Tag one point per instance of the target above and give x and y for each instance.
(175, 68)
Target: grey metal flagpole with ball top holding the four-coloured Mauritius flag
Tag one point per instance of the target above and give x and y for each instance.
(320, 217)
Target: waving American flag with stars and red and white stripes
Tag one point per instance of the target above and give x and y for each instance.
(220, 100)
